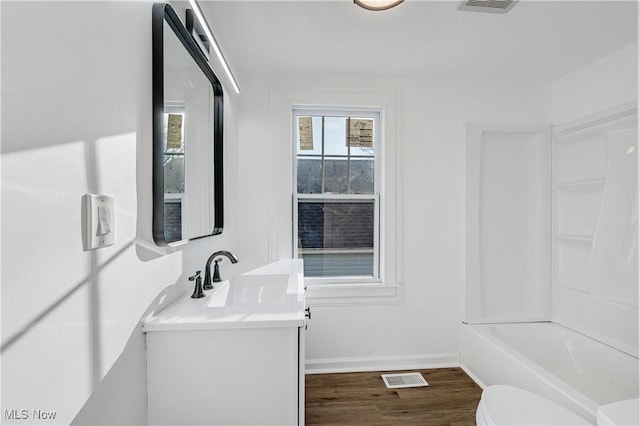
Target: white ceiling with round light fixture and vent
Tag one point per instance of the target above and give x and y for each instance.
(535, 41)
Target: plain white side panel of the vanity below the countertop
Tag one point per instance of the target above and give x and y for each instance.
(224, 377)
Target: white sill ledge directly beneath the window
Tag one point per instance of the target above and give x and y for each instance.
(352, 294)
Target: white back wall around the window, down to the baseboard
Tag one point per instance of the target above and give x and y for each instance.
(422, 328)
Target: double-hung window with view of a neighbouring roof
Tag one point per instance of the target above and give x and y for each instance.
(337, 202)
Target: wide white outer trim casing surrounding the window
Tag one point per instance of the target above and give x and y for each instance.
(286, 95)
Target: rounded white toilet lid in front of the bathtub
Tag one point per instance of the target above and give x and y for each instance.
(508, 405)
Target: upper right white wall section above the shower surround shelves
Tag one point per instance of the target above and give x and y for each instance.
(606, 83)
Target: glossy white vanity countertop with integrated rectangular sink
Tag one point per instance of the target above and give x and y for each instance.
(268, 296)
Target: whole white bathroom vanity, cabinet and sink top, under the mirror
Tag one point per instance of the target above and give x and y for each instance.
(234, 357)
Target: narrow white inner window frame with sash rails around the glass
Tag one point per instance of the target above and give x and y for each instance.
(376, 115)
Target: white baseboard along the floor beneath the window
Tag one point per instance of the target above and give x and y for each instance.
(381, 363)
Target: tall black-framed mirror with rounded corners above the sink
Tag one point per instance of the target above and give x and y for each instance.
(187, 135)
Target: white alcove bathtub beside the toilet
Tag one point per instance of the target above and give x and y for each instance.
(553, 361)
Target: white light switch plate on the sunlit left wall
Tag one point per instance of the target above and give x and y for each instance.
(99, 221)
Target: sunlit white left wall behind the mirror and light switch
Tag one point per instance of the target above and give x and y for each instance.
(76, 118)
